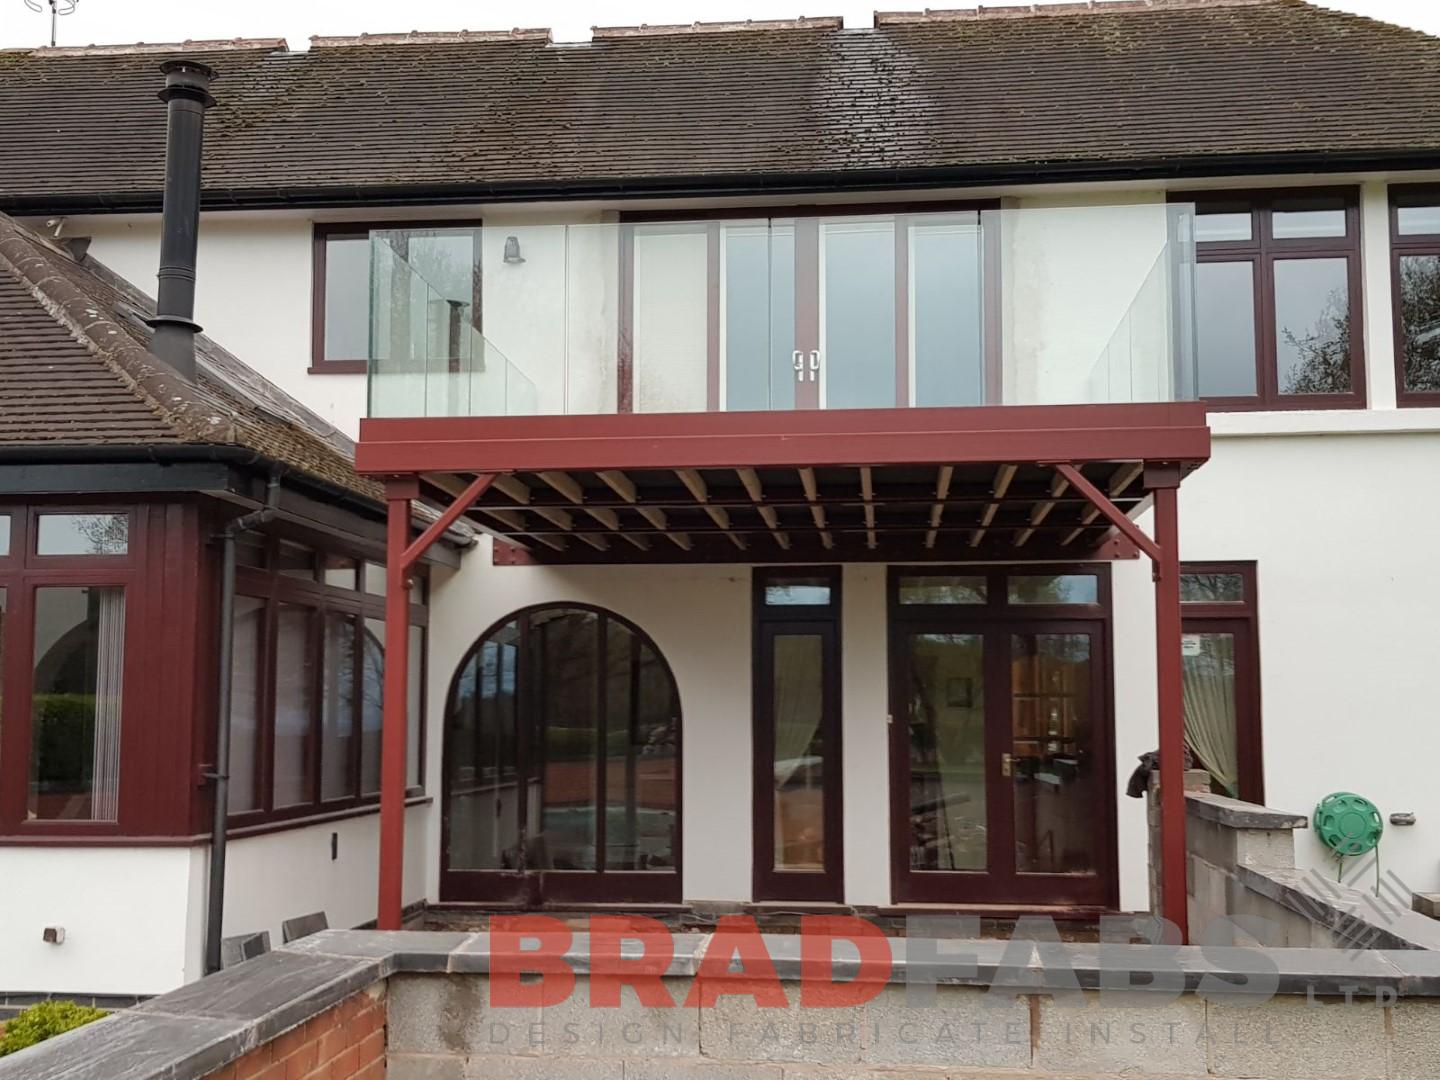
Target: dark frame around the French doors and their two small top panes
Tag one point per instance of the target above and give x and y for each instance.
(991, 620)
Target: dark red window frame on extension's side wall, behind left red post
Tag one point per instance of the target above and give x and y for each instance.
(320, 601)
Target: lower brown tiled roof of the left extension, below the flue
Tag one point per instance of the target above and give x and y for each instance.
(76, 374)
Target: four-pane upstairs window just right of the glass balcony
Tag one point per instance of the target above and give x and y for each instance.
(1278, 300)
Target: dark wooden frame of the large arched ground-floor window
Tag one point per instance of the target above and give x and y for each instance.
(564, 888)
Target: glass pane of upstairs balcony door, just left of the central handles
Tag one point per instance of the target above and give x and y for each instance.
(760, 316)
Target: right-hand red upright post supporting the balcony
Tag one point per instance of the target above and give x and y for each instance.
(1171, 706)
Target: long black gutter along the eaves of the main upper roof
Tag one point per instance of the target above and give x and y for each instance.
(738, 185)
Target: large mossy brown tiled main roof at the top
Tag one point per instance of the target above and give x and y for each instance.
(1002, 93)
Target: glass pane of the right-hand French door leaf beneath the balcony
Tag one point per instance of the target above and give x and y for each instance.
(1055, 765)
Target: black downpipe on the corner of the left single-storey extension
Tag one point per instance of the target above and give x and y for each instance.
(215, 912)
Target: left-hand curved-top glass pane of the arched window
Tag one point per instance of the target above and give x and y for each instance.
(482, 761)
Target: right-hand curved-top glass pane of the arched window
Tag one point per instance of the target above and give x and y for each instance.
(642, 722)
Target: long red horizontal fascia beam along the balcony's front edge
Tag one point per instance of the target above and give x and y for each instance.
(797, 438)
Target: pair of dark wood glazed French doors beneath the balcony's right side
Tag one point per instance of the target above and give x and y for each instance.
(1002, 768)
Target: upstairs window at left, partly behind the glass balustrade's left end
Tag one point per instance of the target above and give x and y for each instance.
(394, 293)
